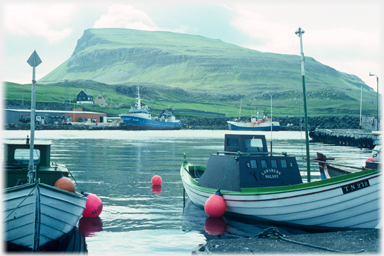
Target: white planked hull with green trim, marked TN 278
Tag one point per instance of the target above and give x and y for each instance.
(349, 201)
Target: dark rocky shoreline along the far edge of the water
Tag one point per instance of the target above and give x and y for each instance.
(219, 123)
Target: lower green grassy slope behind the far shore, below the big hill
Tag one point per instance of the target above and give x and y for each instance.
(121, 97)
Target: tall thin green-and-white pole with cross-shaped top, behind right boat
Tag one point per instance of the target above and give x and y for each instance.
(299, 32)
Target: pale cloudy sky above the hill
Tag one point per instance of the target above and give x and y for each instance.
(346, 35)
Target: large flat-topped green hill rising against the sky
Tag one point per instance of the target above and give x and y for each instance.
(222, 72)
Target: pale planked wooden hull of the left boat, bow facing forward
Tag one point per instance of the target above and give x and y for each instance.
(36, 214)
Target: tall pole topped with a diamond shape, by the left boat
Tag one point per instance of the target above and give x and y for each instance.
(34, 60)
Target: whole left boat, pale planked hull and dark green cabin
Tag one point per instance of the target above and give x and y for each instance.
(36, 214)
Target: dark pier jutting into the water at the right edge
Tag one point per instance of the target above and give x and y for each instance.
(347, 137)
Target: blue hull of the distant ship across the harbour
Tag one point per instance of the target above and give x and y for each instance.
(137, 123)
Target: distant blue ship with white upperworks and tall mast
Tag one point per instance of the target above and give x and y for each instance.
(139, 118)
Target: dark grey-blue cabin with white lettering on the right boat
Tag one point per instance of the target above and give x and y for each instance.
(246, 163)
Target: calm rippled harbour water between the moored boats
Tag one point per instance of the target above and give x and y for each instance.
(118, 166)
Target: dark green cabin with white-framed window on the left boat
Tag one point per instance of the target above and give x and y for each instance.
(16, 161)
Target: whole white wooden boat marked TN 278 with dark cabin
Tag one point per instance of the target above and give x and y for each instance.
(262, 185)
